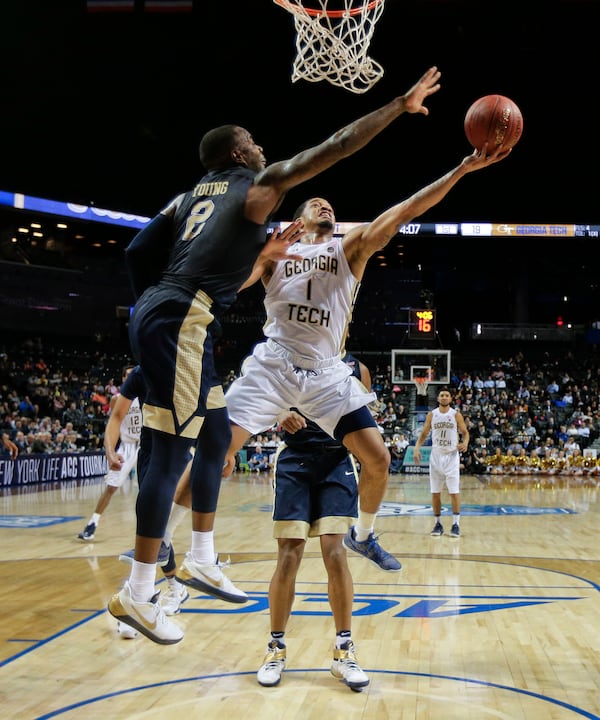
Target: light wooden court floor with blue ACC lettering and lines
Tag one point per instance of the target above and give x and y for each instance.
(502, 623)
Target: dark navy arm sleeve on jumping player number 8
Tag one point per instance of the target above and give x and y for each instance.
(147, 254)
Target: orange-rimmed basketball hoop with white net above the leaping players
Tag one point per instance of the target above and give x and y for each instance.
(332, 44)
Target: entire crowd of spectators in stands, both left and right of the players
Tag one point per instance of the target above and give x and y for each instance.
(522, 416)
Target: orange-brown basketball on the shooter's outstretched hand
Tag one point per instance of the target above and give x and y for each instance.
(494, 119)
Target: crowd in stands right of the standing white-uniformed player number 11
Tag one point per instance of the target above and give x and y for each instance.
(530, 419)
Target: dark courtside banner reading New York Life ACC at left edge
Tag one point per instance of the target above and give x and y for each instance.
(29, 469)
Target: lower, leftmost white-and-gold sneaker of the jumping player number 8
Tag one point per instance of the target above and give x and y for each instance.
(146, 617)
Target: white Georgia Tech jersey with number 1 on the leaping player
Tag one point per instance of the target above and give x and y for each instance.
(309, 302)
